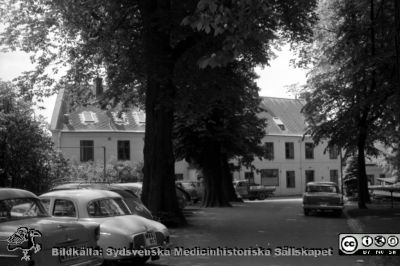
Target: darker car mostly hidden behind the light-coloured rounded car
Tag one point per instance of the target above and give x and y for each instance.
(133, 201)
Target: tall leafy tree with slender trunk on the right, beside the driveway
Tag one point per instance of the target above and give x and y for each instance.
(352, 82)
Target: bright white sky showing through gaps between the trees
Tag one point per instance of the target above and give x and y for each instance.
(272, 81)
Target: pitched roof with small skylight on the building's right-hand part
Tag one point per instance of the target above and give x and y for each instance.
(283, 115)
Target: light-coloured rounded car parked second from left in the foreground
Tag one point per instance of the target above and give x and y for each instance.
(119, 229)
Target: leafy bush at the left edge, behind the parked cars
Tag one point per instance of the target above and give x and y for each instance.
(28, 159)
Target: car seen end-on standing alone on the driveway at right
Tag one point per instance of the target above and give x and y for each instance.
(322, 196)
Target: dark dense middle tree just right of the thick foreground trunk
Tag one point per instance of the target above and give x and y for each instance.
(219, 112)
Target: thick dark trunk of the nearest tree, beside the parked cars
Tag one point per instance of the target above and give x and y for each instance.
(159, 178)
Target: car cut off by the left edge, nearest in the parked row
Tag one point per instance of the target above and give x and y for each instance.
(28, 234)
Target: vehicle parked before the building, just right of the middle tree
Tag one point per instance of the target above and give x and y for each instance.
(247, 190)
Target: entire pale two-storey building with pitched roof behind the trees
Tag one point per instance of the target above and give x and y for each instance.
(91, 134)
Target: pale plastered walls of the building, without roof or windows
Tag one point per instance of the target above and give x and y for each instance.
(321, 164)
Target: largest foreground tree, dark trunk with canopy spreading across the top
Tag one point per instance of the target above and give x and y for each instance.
(136, 46)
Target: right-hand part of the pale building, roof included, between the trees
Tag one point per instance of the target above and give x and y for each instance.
(291, 159)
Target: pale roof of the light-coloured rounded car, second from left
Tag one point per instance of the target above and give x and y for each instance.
(82, 194)
